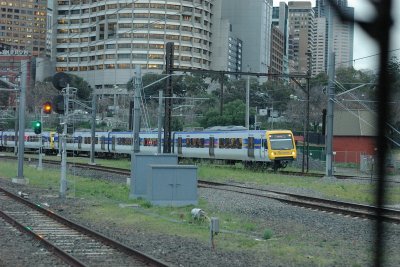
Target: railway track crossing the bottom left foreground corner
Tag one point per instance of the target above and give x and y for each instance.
(73, 243)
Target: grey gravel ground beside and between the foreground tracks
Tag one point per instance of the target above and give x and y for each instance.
(299, 234)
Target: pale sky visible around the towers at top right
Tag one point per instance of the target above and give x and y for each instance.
(364, 46)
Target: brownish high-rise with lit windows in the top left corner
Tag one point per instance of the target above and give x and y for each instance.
(23, 26)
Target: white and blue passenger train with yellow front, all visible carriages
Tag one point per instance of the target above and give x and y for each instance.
(274, 148)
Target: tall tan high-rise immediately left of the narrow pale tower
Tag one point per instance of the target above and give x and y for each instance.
(301, 36)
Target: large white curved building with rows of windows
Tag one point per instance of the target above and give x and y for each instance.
(103, 40)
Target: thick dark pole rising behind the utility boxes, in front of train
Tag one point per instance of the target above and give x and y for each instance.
(169, 60)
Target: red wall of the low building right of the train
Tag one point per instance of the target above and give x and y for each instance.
(349, 148)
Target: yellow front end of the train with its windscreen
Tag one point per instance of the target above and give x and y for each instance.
(281, 147)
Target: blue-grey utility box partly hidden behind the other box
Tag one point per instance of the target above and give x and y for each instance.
(141, 170)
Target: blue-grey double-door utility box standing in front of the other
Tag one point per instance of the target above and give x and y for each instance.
(172, 185)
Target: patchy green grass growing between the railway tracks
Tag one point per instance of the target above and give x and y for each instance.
(292, 249)
